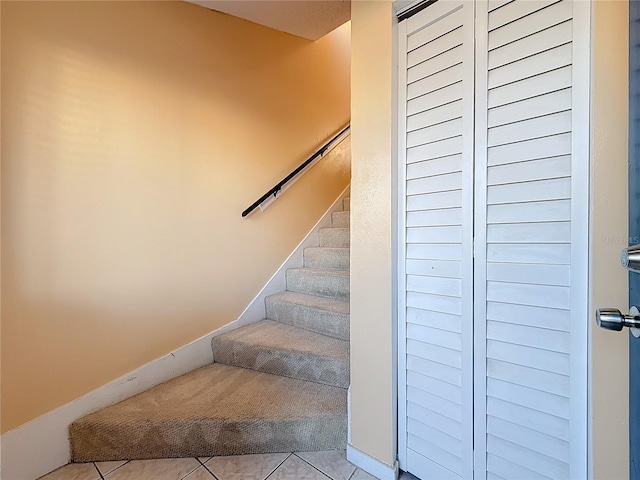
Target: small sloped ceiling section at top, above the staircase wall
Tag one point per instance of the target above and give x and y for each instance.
(310, 19)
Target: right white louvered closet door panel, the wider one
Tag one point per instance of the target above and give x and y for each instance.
(531, 232)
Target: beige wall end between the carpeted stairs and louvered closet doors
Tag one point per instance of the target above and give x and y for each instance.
(372, 407)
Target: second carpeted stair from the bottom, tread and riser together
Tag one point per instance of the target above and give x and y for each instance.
(282, 349)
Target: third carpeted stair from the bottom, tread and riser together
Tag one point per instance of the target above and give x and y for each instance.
(327, 316)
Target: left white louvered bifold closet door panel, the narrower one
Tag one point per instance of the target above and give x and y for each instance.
(438, 183)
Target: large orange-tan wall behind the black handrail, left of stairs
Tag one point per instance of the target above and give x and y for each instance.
(134, 134)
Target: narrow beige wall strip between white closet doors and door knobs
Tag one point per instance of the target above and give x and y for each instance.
(609, 281)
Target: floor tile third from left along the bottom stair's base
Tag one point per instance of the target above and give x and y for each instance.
(245, 467)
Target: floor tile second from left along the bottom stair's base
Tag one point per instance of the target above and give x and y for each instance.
(162, 469)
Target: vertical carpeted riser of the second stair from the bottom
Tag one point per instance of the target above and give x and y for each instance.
(325, 370)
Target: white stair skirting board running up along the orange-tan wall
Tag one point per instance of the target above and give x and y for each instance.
(42, 445)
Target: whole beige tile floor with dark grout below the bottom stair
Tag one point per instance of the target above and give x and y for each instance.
(273, 466)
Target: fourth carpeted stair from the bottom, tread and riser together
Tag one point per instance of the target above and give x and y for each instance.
(322, 282)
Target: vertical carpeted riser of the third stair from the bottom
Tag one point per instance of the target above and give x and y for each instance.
(321, 321)
